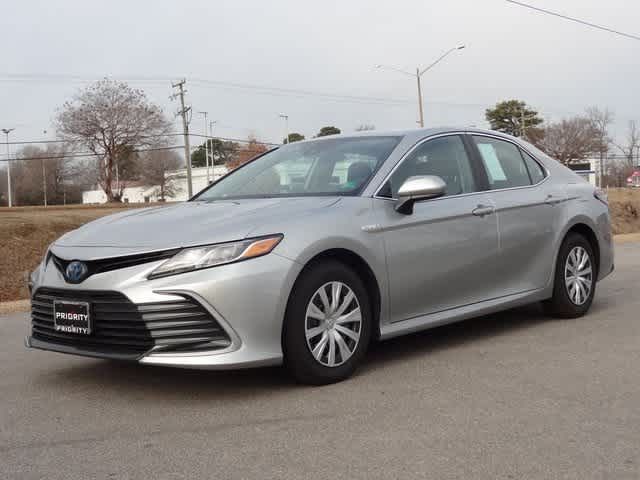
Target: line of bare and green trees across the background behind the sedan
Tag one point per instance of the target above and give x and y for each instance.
(111, 135)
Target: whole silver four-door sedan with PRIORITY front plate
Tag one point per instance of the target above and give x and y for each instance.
(307, 254)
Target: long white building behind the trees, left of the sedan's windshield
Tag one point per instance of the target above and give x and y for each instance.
(137, 192)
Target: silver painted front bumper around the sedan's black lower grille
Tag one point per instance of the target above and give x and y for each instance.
(247, 299)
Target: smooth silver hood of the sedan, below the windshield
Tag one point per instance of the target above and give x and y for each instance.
(182, 225)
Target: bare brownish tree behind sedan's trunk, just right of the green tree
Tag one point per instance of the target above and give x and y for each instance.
(571, 140)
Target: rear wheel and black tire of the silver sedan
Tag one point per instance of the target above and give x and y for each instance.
(564, 303)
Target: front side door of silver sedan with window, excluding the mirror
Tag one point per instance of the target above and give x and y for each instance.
(440, 256)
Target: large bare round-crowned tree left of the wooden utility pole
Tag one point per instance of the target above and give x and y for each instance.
(111, 119)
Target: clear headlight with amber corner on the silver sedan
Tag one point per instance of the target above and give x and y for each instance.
(197, 258)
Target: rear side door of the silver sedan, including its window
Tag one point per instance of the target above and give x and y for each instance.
(529, 210)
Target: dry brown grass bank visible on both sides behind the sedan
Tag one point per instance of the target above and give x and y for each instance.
(25, 233)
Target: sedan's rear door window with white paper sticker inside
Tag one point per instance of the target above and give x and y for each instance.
(503, 163)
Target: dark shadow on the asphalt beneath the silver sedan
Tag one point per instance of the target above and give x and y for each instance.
(137, 381)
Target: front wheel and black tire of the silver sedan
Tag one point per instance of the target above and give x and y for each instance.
(311, 313)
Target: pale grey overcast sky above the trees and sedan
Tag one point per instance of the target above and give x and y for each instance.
(323, 47)
